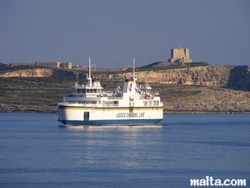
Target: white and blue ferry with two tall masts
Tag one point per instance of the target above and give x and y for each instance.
(90, 104)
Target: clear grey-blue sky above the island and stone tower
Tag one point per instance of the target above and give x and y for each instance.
(113, 32)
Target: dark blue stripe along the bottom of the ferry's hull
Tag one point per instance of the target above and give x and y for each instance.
(111, 122)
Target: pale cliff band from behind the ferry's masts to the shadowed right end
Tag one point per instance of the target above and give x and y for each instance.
(235, 77)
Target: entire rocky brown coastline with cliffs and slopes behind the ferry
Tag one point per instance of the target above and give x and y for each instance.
(201, 89)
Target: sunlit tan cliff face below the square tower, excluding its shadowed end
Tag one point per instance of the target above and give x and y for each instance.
(205, 76)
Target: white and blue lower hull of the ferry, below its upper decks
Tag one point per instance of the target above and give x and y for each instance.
(78, 115)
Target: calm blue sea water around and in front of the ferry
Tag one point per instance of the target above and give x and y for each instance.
(36, 152)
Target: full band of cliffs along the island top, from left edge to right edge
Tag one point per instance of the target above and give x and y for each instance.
(234, 77)
